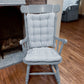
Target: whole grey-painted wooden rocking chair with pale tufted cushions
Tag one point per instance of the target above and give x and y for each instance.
(40, 28)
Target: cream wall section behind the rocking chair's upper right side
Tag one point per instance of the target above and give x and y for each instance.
(60, 2)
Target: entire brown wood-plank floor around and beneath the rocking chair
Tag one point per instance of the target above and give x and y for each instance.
(71, 68)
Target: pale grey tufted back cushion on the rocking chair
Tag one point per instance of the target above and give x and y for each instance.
(40, 29)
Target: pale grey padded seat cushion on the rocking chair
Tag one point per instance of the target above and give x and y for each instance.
(42, 54)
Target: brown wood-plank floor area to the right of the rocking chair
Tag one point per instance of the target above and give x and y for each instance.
(72, 66)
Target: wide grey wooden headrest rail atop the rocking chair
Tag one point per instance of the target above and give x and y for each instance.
(40, 8)
